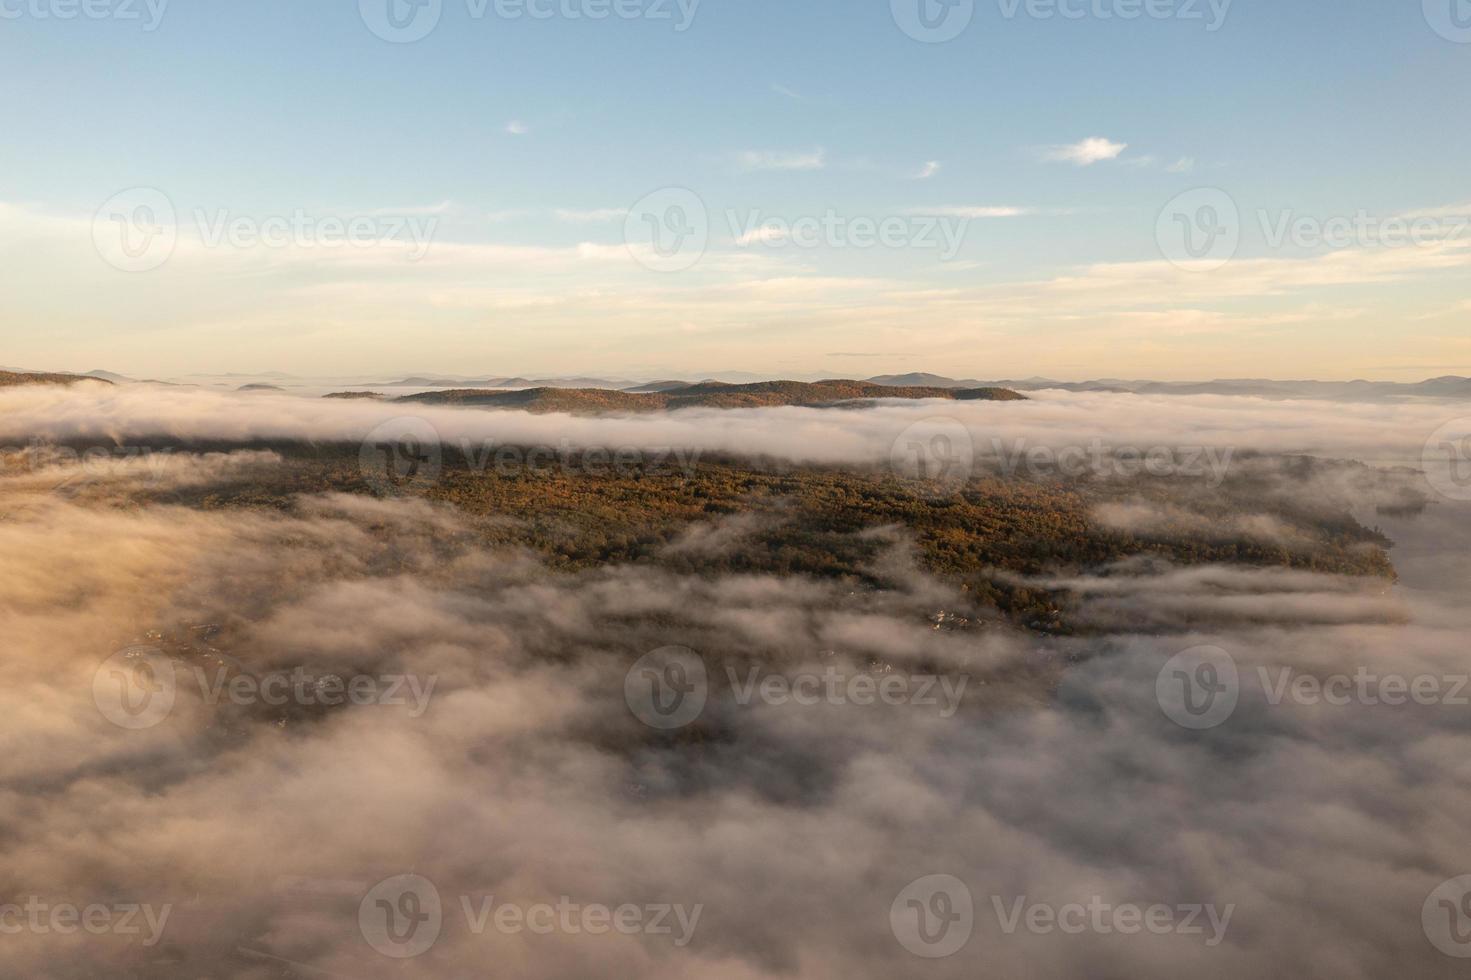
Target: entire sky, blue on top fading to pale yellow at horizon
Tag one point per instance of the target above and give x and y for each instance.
(524, 141)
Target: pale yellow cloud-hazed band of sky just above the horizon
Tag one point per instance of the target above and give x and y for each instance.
(505, 310)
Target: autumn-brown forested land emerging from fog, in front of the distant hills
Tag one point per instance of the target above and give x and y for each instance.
(732, 516)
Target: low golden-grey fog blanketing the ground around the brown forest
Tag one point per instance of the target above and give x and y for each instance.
(1048, 807)
